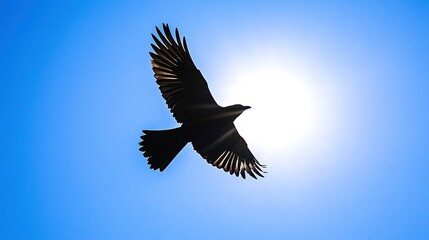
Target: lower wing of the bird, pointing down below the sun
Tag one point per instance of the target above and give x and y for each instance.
(228, 151)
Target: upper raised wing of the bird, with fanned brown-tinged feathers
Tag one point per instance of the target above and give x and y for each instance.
(182, 85)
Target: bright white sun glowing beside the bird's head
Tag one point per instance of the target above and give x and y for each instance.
(285, 111)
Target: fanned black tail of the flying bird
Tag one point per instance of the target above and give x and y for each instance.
(160, 147)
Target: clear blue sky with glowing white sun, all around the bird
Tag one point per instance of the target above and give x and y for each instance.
(339, 93)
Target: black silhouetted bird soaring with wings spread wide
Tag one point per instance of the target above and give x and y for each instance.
(203, 123)
